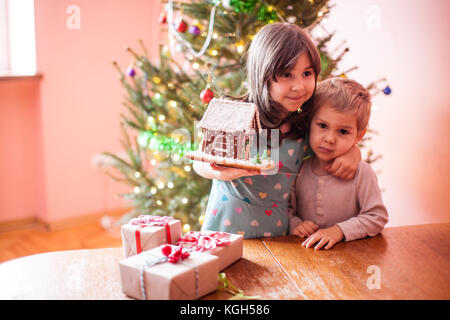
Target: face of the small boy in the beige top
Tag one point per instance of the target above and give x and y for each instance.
(333, 133)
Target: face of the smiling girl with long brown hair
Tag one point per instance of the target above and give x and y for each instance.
(293, 88)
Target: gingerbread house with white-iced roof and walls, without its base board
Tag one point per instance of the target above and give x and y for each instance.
(228, 128)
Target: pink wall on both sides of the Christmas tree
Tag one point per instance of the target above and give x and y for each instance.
(49, 135)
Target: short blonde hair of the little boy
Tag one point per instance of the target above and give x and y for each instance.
(344, 95)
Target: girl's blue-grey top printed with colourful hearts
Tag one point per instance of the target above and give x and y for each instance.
(256, 206)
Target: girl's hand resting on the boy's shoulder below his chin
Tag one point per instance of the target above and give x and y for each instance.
(345, 166)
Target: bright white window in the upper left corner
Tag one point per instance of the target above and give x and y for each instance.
(17, 38)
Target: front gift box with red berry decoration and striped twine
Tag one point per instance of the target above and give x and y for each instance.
(159, 275)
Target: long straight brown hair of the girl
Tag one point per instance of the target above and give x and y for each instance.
(273, 52)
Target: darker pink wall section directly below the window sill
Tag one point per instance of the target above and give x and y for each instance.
(21, 174)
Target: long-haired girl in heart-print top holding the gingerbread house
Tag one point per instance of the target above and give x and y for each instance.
(282, 69)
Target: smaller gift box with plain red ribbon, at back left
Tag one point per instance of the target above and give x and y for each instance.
(147, 232)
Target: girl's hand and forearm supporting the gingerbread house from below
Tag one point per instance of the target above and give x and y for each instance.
(213, 171)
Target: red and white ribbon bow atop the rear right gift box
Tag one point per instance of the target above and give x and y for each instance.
(202, 241)
